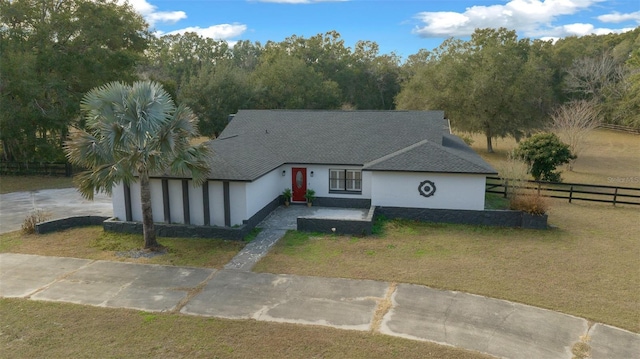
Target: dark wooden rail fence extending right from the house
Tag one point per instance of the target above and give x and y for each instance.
(570, 191)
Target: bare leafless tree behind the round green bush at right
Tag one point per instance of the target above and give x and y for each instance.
(572, 122)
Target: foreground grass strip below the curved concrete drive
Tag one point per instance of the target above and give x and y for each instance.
(32, 329)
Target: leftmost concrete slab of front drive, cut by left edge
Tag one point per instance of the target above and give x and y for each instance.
(23, 274)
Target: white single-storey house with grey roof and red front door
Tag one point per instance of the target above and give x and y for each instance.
(393, 159)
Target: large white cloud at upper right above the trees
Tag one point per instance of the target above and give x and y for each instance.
(533, 18)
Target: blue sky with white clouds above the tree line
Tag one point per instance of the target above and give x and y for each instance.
(403, 26)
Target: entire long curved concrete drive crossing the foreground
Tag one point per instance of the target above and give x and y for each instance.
(496, 327)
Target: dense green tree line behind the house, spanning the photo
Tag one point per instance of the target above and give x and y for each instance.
(53, 52)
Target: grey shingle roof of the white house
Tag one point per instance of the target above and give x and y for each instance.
(258, 141)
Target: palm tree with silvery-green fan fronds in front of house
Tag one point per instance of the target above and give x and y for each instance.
(135, 131)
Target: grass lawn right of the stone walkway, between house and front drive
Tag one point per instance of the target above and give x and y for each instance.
(587, 266)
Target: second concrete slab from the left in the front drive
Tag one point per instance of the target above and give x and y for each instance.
(126, 285)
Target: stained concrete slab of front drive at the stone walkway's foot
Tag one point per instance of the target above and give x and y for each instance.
(335, 302)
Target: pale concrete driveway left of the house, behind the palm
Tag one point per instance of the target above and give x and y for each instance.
(59, 203)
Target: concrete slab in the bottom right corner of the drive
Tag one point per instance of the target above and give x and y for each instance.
(613, 343)
